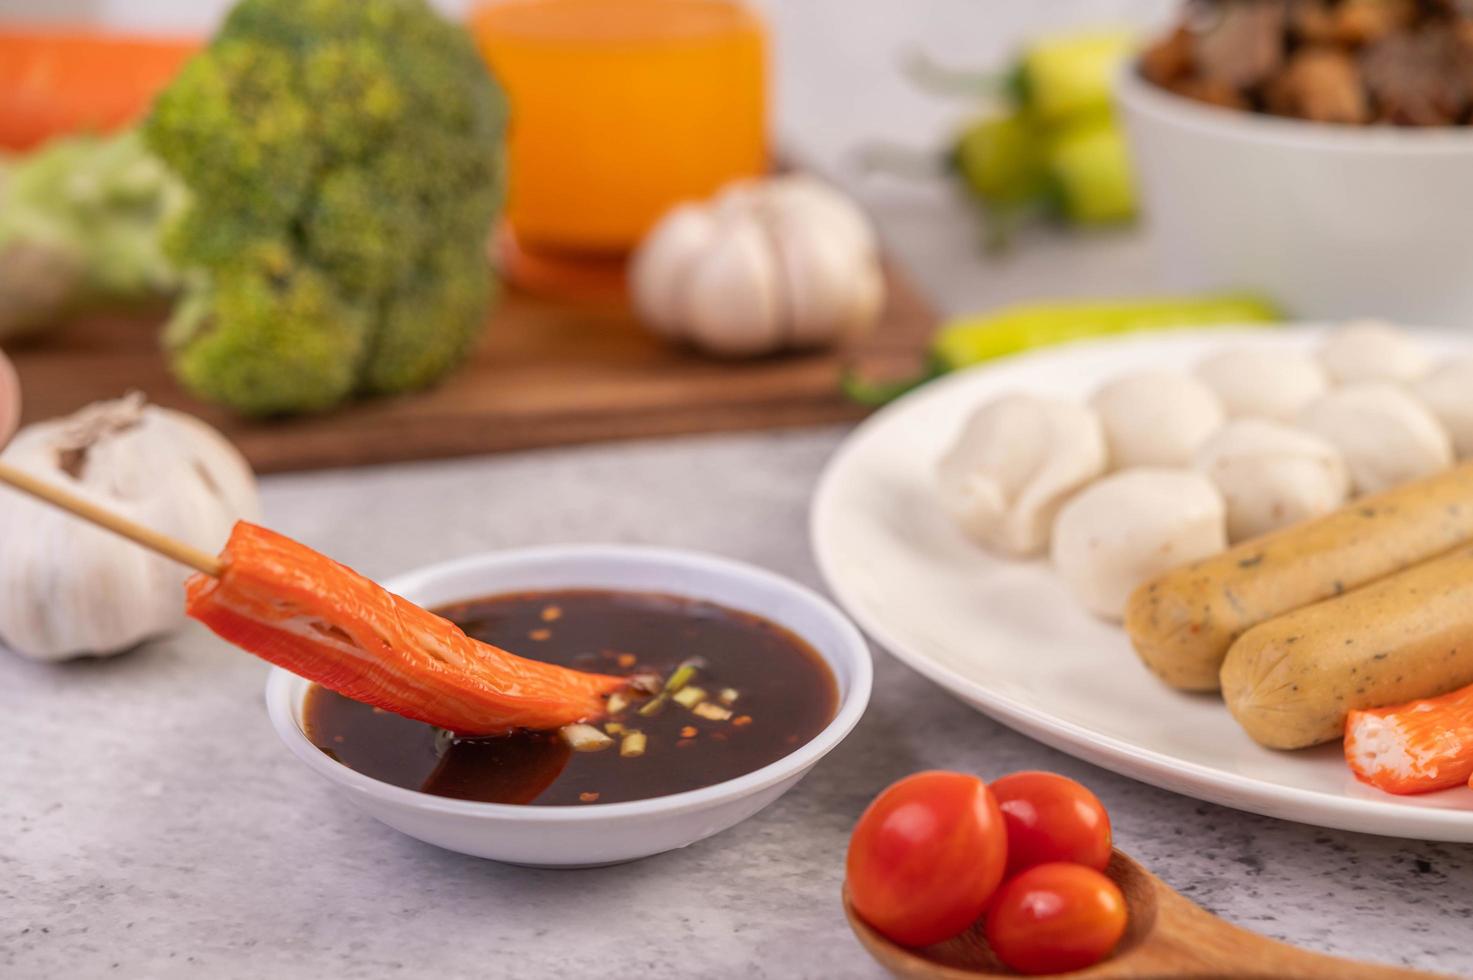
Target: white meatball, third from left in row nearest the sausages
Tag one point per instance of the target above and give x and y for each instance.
(1387, 437)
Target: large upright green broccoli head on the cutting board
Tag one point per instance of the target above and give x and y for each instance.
(345, 163)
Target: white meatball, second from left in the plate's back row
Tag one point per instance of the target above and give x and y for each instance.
(1156, 418)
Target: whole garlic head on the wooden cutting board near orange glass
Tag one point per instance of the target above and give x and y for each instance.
(767, 266)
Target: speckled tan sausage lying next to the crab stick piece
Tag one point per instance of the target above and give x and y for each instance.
(1293, 680)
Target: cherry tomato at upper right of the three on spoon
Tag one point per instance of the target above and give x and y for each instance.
(1052, 819)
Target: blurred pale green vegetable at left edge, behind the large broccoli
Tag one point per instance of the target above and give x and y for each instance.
(80, 226)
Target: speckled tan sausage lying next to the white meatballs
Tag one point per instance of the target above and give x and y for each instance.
(1184, 623)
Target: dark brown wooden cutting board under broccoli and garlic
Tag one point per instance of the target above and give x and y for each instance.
(546, 374)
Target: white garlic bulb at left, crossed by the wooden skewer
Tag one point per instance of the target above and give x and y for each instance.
(68, 589)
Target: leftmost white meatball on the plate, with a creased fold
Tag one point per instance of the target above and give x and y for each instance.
(1014, 463)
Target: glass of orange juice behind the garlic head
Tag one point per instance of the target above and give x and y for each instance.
(619, 110)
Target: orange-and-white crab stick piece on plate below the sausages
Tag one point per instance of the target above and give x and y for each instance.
(1415, 748)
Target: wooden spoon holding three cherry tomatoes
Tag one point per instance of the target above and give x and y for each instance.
(1169, 937)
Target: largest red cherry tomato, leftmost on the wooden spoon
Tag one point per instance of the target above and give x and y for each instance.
(926, 857)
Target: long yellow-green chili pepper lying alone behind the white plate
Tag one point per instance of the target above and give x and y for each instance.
(974, 340)
